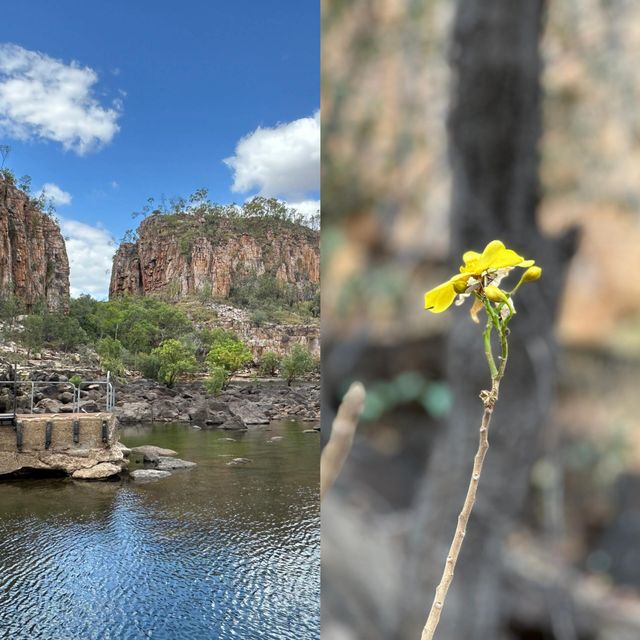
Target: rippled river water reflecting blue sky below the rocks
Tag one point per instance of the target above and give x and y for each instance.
(216, 551)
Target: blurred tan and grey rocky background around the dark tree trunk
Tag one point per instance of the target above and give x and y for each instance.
(570, 564)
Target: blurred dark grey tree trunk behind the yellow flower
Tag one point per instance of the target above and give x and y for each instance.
(494, 128)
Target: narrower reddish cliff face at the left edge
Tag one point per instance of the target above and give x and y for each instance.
(33, 259)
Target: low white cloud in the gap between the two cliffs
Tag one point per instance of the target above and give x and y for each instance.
(90, 250)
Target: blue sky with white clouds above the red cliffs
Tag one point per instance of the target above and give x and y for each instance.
(112, 102)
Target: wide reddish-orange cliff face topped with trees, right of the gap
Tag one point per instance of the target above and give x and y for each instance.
(184, 254)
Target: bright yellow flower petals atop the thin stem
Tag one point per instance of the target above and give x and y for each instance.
(483, 268)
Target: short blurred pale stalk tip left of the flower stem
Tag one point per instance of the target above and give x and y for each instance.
(342, 432)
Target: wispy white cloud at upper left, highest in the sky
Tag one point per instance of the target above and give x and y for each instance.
(44, 98)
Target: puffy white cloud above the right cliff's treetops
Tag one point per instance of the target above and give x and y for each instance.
(281, 161)
